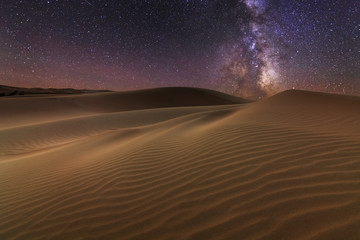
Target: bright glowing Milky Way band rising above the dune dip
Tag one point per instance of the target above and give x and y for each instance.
(250, 63)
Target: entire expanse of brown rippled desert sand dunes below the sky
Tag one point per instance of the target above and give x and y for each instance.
(179, 163)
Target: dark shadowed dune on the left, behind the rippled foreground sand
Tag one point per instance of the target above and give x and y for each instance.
(44, 106)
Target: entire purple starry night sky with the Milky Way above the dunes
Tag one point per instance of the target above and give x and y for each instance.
(248, 48)
